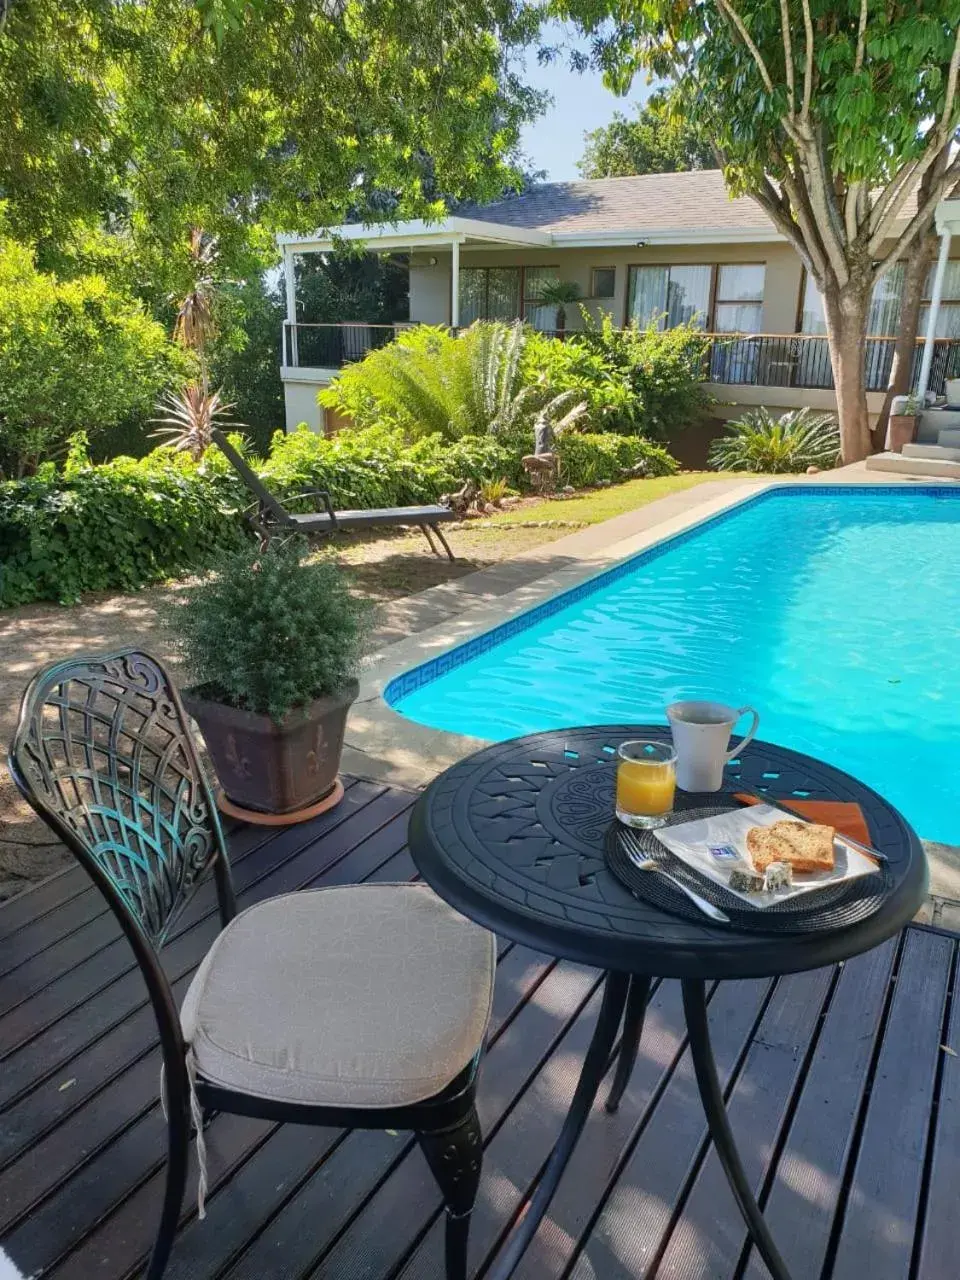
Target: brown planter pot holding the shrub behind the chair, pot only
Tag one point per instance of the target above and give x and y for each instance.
(269, 766)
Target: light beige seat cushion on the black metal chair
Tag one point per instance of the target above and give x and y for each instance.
(356, 996)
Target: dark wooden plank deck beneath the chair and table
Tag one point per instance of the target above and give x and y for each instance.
(843, 1098)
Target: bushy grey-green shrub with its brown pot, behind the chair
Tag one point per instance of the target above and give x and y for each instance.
(273, 643)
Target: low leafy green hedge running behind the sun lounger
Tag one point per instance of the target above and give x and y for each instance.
(129, 523)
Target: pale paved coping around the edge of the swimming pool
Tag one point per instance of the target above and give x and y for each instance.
(387, 747)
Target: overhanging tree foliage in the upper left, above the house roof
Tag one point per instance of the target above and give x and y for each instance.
(248, 117)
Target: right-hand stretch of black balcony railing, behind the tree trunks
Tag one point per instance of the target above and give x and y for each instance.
(803, 362)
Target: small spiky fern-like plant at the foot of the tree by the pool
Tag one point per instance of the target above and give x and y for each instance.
(764, 444)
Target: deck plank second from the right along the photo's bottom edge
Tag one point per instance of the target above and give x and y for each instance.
(881, 1213)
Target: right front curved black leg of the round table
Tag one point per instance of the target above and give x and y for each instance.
(719, 1123)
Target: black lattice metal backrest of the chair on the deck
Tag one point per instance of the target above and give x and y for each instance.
(104, 755)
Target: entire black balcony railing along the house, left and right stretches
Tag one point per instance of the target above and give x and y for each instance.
(734, 360)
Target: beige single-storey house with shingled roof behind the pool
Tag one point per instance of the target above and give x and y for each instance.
(666, 248)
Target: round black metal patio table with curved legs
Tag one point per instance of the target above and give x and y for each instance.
(514, 839)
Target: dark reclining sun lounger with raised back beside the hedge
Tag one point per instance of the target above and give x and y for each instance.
(271, 518)
